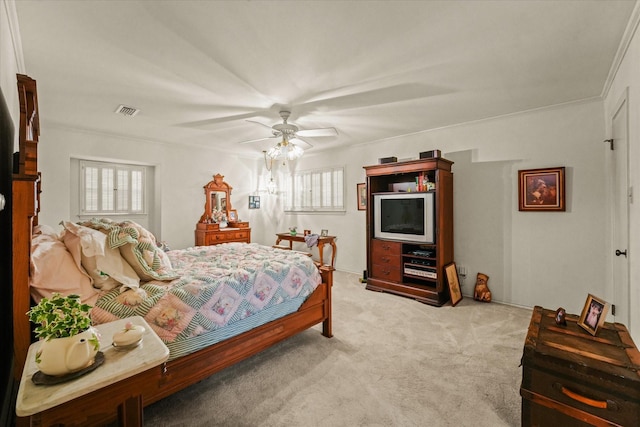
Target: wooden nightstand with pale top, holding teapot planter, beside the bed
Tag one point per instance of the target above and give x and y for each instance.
(107, 385)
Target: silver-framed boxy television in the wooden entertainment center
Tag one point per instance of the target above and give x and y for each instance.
(404, 216)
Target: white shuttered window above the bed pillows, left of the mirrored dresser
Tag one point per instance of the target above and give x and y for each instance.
(110, 188)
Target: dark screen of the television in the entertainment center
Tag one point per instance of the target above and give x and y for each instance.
(402, 216)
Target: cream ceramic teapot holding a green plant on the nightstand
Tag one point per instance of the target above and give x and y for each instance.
(62, 356)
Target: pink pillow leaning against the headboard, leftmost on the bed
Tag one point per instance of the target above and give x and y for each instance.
(53, 269)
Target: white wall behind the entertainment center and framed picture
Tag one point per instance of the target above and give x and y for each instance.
(551, 259)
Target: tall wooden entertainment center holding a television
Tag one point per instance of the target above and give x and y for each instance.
(410, 228)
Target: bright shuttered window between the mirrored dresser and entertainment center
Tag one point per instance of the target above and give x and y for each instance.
(319, 190)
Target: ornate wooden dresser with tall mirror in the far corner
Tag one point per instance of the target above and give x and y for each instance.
(218, 198)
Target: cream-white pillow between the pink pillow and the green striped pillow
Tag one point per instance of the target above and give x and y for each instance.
(105, 265)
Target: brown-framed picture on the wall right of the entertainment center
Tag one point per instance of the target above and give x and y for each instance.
(541, 189)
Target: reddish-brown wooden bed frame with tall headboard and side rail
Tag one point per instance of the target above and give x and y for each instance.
(171, 376)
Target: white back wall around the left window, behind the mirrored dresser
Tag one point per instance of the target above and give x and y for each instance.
(181, 172)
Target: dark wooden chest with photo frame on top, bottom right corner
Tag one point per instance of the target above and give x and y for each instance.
(571, 378)
